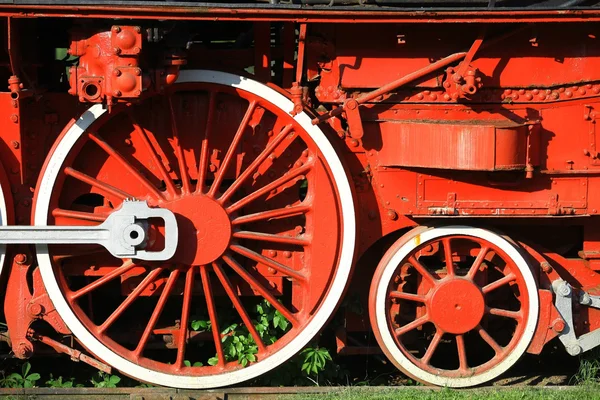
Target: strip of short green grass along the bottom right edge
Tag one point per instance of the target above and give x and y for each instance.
(514, 393)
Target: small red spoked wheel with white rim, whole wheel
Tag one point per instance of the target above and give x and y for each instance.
(454, 306)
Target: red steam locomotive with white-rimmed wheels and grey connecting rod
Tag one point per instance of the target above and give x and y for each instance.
(167, 163)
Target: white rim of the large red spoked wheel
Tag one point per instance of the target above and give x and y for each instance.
(42, 205)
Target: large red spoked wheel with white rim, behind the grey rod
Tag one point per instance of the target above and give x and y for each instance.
(264, 211)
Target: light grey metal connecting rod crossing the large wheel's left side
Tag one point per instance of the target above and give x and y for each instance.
(124, 233)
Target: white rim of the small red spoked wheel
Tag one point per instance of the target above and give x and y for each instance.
(409, 245)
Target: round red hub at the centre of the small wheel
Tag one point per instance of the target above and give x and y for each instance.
(457, 306)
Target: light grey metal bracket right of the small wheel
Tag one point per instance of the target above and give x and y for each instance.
(563, 302)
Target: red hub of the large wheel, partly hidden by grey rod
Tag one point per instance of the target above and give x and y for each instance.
(204, 229)
